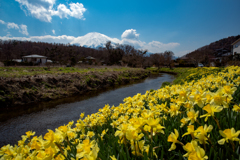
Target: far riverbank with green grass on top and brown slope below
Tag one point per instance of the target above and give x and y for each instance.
(26, 85)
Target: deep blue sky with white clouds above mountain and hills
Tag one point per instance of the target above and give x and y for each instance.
(157, 25)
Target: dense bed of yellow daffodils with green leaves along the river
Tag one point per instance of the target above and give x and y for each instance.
(197, 119)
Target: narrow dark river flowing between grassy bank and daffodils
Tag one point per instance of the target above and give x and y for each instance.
(41, 116)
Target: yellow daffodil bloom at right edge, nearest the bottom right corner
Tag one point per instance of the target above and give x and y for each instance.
(229, 134)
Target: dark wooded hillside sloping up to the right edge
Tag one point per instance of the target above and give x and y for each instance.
(224, 43)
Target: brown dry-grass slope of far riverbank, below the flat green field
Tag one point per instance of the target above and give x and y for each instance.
(27, 89)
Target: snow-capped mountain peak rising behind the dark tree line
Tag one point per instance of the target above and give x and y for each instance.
(94, 40)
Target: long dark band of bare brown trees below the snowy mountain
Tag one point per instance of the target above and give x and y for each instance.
(62, 54)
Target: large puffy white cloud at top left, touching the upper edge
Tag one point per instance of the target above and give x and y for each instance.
(44, 9)
